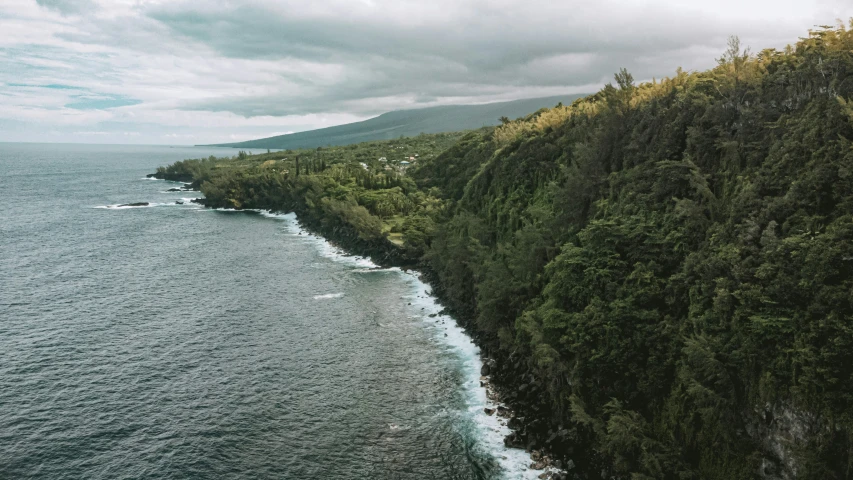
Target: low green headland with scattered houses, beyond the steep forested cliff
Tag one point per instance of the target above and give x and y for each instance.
(353, 188)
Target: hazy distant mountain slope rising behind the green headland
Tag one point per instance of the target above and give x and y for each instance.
(408, 123)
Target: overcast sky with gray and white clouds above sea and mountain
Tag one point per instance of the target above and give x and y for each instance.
(203, 71)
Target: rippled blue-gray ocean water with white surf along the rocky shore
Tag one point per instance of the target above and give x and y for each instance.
(173, 341)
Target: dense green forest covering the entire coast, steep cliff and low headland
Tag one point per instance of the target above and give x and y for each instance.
(667, 266)
